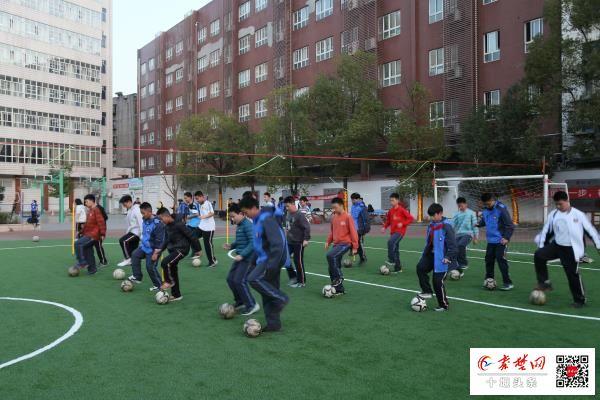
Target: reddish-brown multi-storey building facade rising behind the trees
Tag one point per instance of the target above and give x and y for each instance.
(229, 55)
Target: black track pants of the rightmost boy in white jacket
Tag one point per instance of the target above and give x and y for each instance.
(569, 263)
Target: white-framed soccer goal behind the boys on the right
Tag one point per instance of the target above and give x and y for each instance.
(527, 197)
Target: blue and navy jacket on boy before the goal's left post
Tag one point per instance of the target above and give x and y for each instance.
(441, 241)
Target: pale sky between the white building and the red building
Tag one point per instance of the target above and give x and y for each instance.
(135, 23)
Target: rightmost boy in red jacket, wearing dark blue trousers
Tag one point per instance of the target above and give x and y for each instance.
(398, 219)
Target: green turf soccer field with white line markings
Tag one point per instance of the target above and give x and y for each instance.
(366, 344)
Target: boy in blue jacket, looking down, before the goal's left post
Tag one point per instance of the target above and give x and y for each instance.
(439, 253)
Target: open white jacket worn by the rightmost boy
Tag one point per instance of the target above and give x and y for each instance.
(577, 223)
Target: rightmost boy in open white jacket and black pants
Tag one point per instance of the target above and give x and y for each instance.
(562, 238)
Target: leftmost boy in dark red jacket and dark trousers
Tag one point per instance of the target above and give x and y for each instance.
(94, 230)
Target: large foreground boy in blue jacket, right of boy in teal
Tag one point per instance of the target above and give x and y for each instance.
(270, 252)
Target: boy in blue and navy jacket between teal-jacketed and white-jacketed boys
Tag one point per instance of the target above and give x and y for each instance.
(499, 229)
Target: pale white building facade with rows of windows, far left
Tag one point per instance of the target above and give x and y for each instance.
(55, 92)
